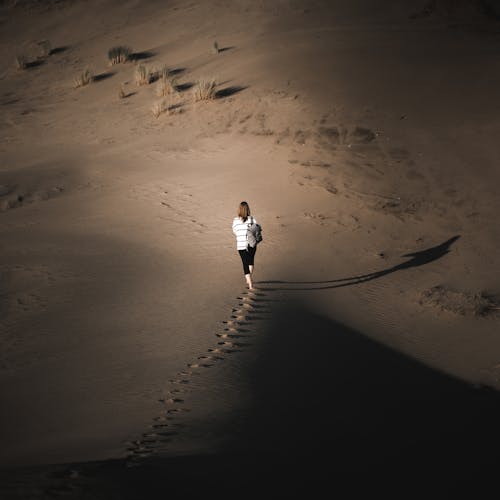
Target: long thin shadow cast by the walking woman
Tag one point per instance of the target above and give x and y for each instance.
(417, 259)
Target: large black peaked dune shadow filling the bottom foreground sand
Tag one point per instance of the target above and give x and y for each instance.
(332, 413)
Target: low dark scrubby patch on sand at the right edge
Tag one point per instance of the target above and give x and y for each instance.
(463, 303)
